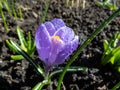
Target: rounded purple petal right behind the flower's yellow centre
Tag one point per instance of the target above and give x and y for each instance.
(65, 33)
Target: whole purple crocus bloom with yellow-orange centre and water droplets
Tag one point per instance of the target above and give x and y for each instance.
(55, 42)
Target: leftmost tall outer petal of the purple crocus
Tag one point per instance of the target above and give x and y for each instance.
(43, 42)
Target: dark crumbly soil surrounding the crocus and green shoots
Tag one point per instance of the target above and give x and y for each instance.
(19, 75)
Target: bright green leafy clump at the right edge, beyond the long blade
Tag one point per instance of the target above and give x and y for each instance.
(112, 51)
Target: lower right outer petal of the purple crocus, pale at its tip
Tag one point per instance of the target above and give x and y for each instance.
(67, 50)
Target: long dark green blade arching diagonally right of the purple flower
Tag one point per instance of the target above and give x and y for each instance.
(89, 39)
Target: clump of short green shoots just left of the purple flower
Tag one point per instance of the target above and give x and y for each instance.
(27, 45)
